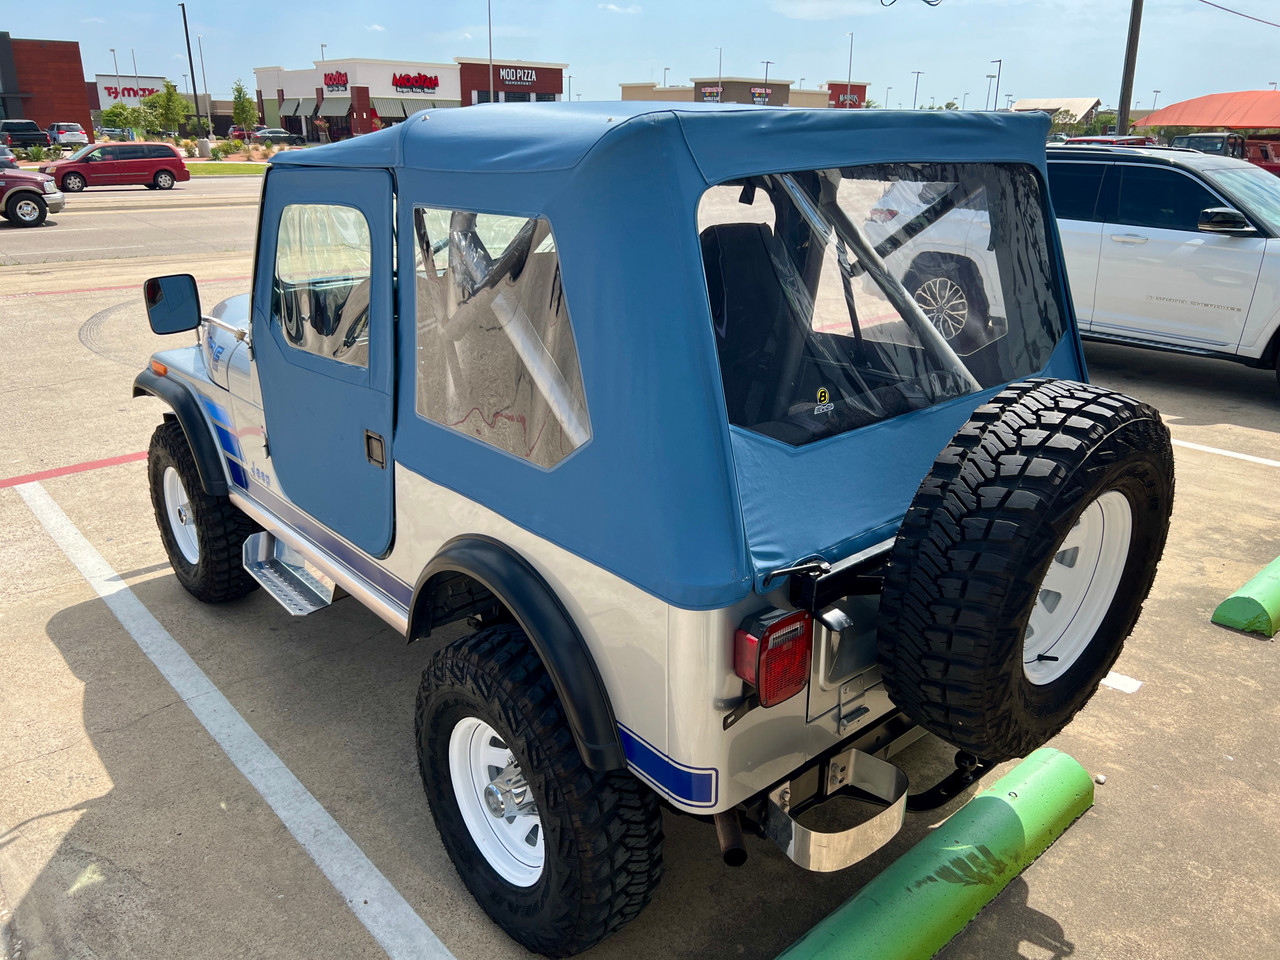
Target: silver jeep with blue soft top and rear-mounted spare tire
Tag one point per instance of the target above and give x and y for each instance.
(693, 533)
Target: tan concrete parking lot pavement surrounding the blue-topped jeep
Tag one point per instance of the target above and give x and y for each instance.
(127, 831)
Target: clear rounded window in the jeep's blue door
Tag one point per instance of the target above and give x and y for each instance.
(321, 295)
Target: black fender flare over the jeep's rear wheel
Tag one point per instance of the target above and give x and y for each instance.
(529, 598)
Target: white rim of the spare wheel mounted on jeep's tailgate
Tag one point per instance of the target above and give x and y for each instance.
(1078, 588)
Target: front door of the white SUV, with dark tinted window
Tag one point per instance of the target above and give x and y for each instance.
(1160, 277)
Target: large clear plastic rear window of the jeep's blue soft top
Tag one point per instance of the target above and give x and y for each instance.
(845, 298)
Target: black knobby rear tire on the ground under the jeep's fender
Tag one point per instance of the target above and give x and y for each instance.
(602, 831)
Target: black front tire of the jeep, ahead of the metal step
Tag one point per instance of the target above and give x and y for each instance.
(220, 574)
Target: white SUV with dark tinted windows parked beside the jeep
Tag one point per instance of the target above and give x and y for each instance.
(1172, 249)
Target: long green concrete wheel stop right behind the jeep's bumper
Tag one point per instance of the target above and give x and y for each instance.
(927, 897)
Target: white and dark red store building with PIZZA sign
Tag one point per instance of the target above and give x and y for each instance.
(339, 99)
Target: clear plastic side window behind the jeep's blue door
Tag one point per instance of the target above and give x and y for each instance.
(496, 353)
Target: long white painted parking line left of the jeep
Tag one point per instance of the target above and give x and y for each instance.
(386, 915)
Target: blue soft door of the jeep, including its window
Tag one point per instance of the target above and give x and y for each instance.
(323, 346)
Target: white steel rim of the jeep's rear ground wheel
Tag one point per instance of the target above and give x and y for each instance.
(496, 803)
